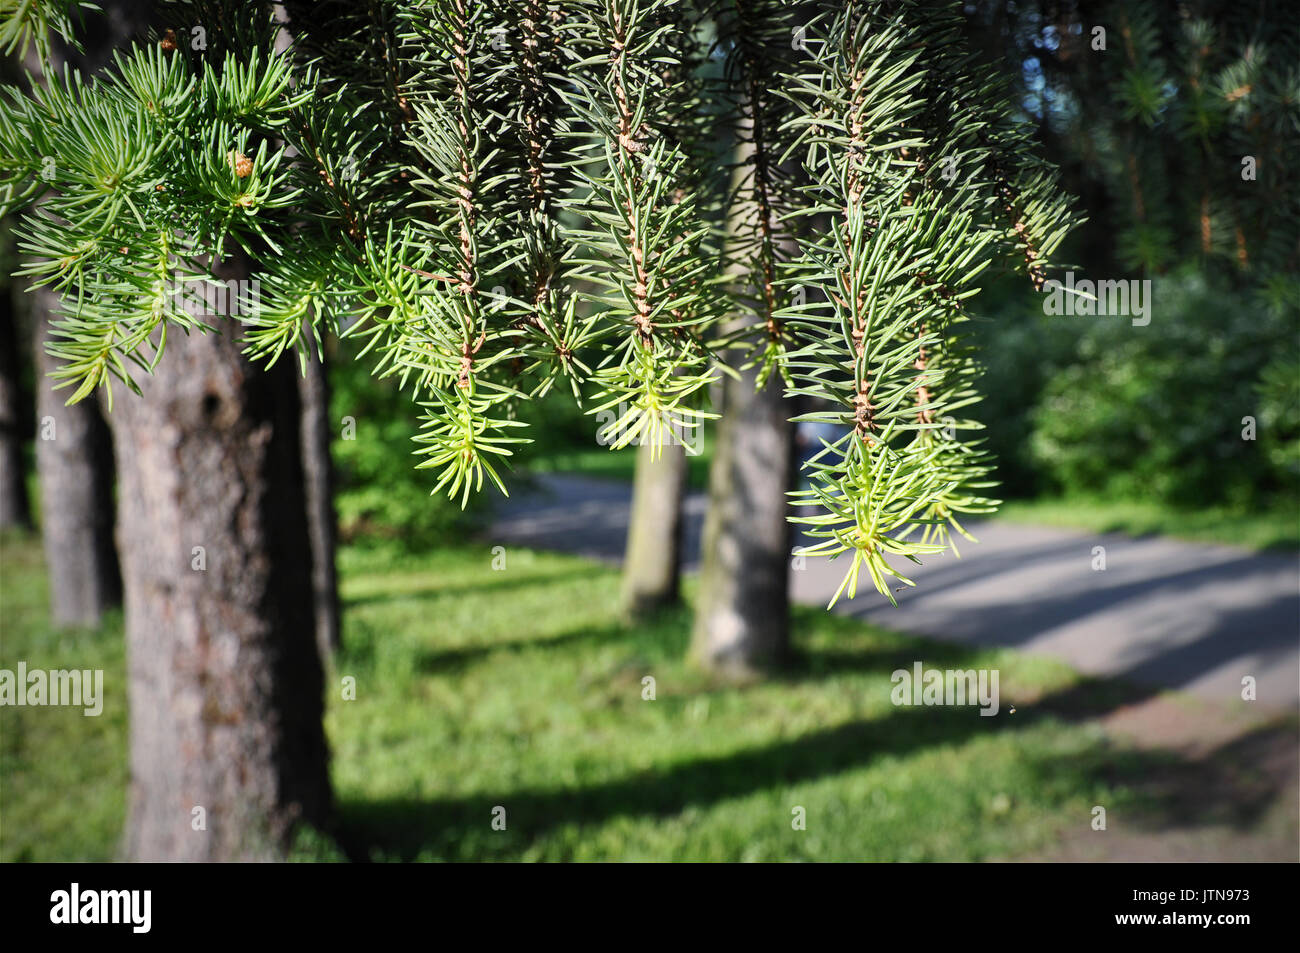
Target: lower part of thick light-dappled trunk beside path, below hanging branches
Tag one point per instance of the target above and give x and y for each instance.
(743, 613)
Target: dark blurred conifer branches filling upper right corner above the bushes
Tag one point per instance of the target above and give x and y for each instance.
(1178, 120)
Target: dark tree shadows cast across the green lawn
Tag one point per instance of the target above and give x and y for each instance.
(1169, 789)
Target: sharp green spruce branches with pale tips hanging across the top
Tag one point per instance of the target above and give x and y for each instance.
(510, 196)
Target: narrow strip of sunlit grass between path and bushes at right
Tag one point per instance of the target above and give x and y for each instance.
(1268, 530)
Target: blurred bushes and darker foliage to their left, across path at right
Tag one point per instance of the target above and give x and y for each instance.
(1087, 406)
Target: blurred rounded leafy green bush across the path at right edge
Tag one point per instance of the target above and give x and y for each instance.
(1156, 413)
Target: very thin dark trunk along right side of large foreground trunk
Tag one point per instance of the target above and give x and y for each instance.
(319, 491)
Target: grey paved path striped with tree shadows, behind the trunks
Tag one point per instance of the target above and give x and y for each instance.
(1164, 613)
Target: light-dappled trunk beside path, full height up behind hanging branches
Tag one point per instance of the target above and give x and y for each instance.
(743, 612)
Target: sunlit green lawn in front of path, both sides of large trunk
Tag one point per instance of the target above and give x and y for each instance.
(519, 688)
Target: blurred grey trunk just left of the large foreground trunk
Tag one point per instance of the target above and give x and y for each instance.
(75, 463)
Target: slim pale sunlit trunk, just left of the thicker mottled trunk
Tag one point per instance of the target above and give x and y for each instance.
(653, 558)
